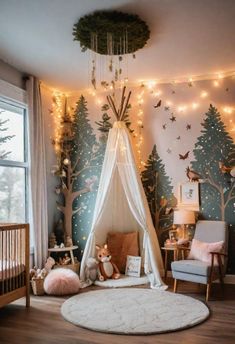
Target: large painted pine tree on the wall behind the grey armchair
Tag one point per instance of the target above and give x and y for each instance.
(218, 189)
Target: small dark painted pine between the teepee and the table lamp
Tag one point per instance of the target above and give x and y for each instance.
(158, 190)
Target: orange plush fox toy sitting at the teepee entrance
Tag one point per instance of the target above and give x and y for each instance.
(106, 268)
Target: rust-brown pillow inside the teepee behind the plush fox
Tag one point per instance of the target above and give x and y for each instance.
(122, 244)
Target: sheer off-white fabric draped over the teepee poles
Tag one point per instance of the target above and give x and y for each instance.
(121, 205)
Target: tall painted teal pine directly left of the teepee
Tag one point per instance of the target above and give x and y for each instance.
(87, 158)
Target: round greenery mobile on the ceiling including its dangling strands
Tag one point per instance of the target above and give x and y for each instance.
(112, 34)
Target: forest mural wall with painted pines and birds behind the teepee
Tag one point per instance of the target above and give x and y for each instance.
(184, 125)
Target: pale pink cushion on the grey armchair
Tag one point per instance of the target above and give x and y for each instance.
(201, 250)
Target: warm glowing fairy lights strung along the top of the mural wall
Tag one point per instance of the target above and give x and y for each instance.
(152, 88)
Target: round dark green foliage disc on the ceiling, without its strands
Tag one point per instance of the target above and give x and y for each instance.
(120, 25)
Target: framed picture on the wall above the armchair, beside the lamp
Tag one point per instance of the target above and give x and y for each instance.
(188, 195)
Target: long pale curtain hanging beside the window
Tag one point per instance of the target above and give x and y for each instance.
(38, 187)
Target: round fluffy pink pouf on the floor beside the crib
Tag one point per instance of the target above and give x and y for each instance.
(61, 282)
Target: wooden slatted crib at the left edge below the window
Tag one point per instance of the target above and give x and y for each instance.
(14, 263)
